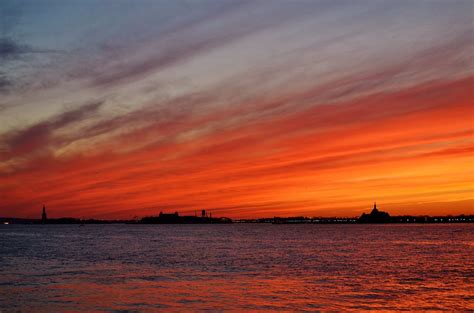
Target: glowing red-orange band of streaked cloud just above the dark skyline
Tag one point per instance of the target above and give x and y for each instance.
(411, 150)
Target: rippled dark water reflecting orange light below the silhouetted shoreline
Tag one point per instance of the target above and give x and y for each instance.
(236, 267)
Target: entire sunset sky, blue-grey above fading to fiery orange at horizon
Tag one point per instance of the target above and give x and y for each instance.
(115, 109)
